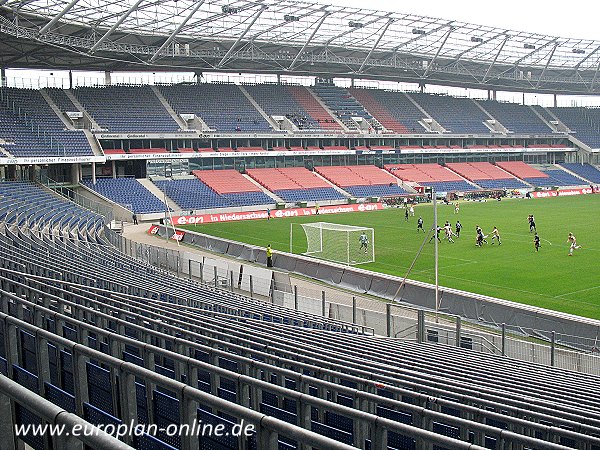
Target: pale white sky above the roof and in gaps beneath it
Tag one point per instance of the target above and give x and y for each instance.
(545, 17)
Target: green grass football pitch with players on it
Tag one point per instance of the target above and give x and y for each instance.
(513, 271)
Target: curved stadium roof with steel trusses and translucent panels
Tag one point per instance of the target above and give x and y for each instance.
(290, 37)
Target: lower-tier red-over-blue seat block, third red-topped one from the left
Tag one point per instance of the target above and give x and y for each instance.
(362, 181)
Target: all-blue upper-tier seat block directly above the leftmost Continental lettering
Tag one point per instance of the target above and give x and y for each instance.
(125, 109)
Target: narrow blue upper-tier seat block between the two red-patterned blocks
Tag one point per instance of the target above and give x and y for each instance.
(343, 105)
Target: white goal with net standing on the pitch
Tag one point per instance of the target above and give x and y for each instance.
(340, 243)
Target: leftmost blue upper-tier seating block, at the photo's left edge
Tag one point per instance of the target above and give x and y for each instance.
(42, 132)
